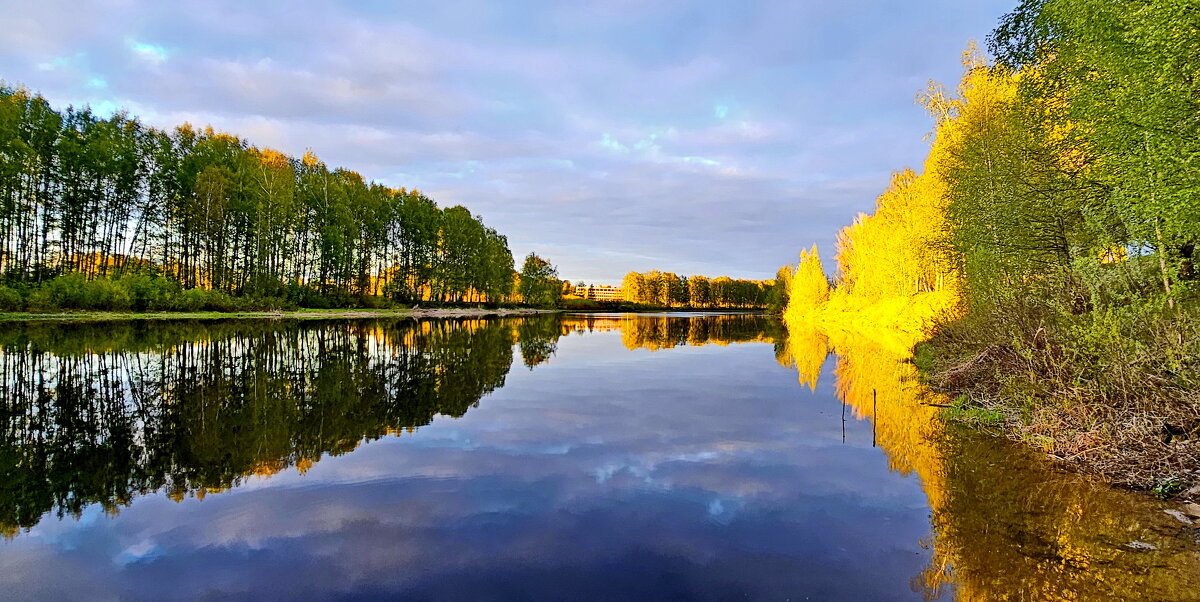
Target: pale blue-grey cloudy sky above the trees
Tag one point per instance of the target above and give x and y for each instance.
(611, 136)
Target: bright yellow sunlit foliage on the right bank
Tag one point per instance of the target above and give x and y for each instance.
(893, 270)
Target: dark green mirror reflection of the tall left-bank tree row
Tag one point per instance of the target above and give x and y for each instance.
(101, 413)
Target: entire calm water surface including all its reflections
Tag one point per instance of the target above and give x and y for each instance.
(556, 457)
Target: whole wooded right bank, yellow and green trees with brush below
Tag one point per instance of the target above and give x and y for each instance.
(1046, 250)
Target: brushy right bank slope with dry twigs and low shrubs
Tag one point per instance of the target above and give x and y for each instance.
(1114, 392)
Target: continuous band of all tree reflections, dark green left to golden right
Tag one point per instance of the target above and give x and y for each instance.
(105, 413)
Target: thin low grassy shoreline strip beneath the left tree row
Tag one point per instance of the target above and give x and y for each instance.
(481, 312)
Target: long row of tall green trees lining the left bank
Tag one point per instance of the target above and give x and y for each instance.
(110, 214)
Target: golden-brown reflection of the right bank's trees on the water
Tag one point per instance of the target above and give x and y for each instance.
(1007, 525)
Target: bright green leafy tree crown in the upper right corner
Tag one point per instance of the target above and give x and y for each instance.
(1125, 73)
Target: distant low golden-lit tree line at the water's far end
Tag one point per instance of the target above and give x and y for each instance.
(668, 290)
